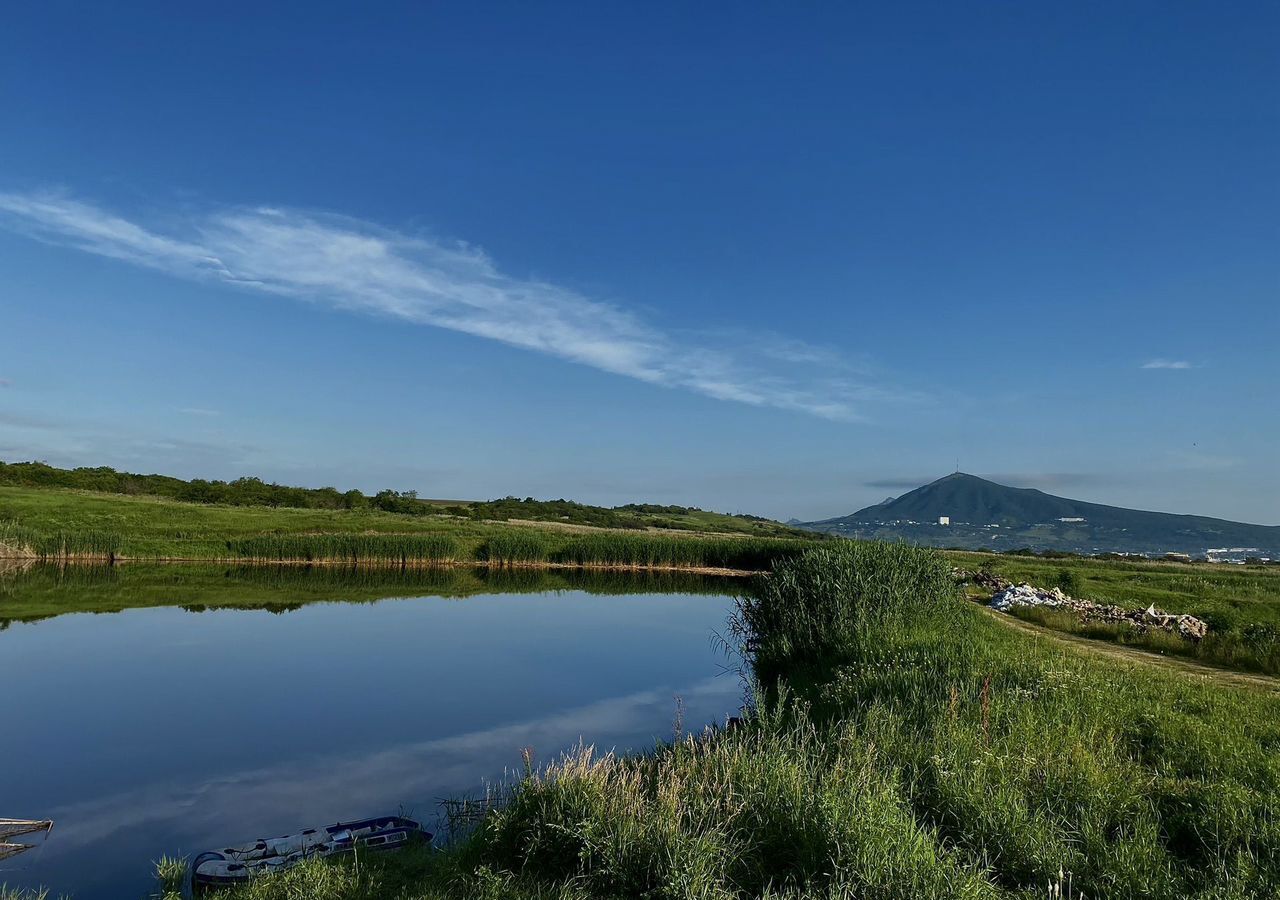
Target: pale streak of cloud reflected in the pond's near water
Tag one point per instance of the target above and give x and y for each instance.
(171, 817)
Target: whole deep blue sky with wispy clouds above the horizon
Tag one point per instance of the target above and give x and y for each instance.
(762, 259)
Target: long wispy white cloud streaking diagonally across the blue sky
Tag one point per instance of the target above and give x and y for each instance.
(363, 268)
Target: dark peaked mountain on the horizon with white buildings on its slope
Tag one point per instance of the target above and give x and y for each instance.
(988, 515)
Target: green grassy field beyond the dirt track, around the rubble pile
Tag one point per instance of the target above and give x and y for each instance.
(1240, 604)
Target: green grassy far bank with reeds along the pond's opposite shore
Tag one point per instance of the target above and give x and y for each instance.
(66, 524)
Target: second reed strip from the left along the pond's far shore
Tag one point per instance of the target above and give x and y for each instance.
(351, 549)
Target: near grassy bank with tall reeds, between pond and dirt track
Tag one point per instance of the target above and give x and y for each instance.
(907, 747)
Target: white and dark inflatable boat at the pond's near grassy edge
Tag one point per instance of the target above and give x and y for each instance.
(240, 864)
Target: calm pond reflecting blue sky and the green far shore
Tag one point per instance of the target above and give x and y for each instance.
(217, 706)
